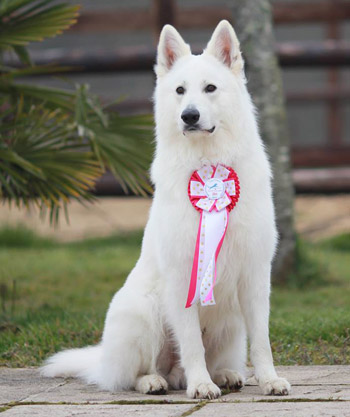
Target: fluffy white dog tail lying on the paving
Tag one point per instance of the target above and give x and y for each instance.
(81, 363)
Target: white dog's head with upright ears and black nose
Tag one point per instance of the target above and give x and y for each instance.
(195, 94)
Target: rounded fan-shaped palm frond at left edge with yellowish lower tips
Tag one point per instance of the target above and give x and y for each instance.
(42, 163)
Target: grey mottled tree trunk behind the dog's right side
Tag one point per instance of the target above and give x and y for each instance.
(253, 23)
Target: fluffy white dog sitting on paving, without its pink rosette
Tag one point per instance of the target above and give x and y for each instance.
(204, 116)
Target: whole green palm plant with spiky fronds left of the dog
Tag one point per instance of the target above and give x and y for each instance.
(55, 143)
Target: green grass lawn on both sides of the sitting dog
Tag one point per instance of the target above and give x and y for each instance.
(55, 296)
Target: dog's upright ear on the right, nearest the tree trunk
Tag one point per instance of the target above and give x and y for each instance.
(224, 45)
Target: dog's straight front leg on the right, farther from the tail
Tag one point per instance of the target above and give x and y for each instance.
(254, 293)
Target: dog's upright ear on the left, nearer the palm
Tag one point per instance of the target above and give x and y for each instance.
(171, 47)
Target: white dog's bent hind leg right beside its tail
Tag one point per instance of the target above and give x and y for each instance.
(133, 335)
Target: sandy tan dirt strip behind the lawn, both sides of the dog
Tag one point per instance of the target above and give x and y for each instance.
(316, 217)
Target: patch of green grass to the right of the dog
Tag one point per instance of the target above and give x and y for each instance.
(310, 323)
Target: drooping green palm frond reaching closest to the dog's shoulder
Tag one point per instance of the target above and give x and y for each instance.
(122, 144)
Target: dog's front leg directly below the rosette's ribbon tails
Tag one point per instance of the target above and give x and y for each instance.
(186, 326)
